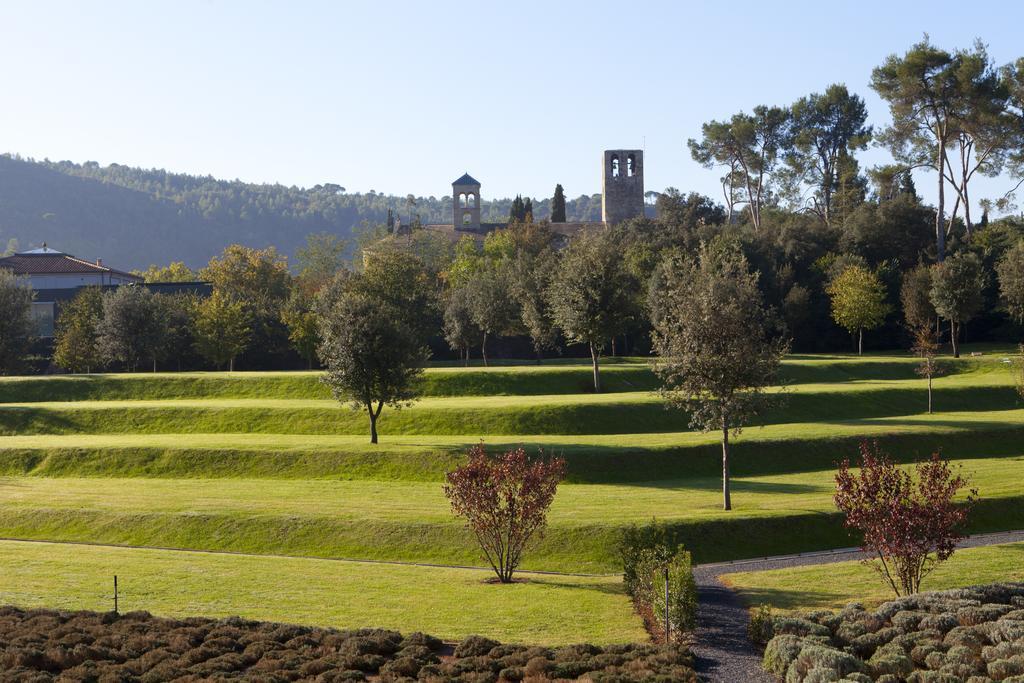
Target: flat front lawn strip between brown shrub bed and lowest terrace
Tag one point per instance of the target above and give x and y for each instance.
(447, 603)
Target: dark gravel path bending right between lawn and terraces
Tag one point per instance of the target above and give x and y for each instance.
(724, 655)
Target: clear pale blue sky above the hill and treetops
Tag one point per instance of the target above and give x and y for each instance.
(404, 98)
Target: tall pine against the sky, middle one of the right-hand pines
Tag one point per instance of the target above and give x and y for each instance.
(827, 129)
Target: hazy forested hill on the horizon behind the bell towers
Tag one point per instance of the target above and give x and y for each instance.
(134, 218)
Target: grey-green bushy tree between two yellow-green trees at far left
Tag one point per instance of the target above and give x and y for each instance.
(132, 328)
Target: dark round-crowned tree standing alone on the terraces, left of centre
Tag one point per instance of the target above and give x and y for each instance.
(373, 351)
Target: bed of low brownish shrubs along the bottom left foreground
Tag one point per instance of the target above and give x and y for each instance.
(49, 646)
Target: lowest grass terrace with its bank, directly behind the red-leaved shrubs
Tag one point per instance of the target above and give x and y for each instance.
(412, 522)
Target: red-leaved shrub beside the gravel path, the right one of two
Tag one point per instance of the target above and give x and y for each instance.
(910, 524)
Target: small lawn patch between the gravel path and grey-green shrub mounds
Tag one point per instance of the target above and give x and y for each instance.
(835, 585)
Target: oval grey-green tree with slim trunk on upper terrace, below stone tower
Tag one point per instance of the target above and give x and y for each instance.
(592, 295)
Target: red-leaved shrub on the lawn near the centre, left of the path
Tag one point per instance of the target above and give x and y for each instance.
(505, 501)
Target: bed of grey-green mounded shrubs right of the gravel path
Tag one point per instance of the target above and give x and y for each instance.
(974, 635)
